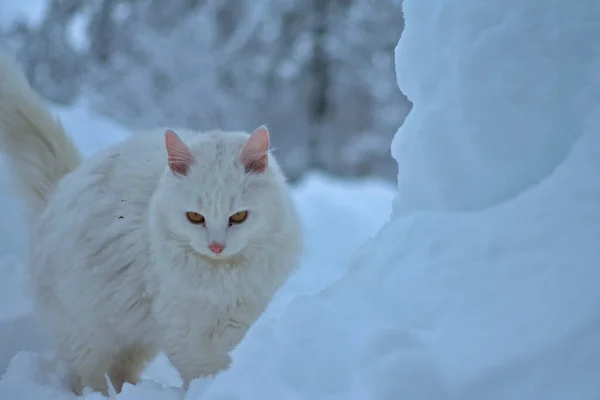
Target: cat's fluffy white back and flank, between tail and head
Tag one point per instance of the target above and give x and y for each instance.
(90, 245)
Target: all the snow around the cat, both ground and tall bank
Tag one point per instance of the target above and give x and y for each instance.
(483, 284)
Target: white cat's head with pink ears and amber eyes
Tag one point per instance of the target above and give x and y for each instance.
(222, 191)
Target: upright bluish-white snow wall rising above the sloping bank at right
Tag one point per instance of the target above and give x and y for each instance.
(501, 90)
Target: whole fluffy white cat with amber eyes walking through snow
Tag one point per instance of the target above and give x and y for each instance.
(159, 243)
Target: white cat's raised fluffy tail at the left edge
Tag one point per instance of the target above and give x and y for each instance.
(39, 150)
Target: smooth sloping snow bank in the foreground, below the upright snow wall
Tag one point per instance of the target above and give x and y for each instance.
(496, 304)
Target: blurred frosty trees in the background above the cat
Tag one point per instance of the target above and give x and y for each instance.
(320, 73)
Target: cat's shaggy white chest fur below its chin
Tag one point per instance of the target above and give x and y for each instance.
(218, 301)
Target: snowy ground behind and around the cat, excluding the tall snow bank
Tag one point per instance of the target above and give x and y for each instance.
(338, 215)
